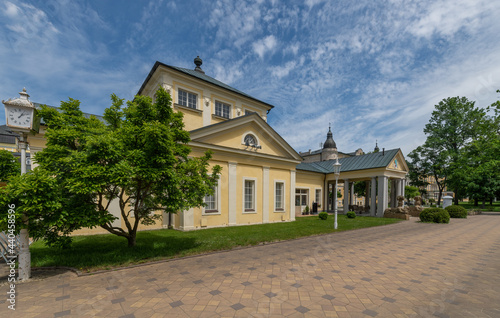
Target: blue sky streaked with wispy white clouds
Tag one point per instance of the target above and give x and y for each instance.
(374, 69)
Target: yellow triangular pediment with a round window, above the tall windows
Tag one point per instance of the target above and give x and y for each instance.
(247, 133)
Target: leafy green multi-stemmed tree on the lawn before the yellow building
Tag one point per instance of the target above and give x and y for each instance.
(138, 159)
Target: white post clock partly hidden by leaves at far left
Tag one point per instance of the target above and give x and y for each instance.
(21, 117)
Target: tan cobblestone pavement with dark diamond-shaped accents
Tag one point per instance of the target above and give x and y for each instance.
(407, 269)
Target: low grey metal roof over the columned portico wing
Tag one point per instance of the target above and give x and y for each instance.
(362, 162)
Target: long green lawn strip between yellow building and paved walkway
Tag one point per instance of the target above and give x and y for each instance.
(96, 252)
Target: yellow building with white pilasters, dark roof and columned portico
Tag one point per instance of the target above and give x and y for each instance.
(263, 179)
